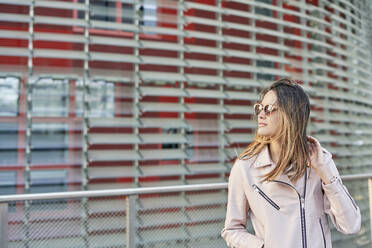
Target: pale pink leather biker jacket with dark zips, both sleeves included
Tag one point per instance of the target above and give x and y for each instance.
(283, 214)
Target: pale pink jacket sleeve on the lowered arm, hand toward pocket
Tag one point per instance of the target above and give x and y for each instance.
(234, 231)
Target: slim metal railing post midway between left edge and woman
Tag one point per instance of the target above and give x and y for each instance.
(131, 221)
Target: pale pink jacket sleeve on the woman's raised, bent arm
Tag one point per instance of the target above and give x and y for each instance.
(338, 203)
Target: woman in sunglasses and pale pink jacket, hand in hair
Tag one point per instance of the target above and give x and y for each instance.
(285, 181)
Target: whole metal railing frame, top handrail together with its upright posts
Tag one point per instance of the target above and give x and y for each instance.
(130, 201)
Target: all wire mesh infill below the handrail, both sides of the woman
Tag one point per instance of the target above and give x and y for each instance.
(180, 218)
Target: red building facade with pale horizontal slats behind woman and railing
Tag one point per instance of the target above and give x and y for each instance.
(113, 94)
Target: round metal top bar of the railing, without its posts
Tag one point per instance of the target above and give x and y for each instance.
(136, 191)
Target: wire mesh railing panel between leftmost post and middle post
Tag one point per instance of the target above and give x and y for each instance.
(94, 222)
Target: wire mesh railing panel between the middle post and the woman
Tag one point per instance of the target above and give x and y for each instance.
(181, 220)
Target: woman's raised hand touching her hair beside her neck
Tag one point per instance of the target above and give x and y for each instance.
(317, 160)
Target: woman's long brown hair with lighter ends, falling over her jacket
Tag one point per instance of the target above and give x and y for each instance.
(294, 112)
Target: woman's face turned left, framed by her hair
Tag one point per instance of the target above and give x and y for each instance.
(268, 124)
